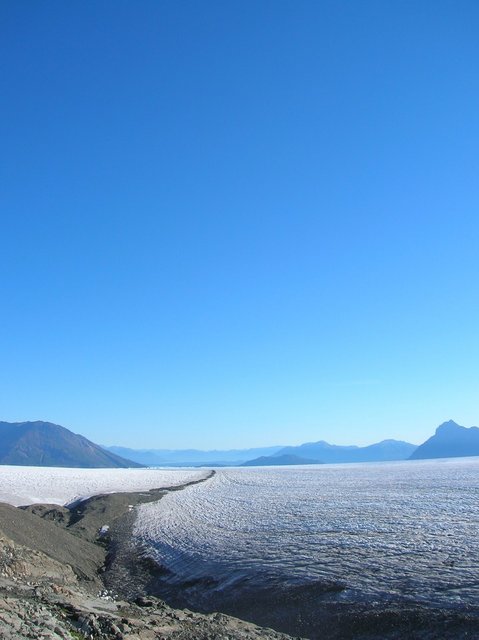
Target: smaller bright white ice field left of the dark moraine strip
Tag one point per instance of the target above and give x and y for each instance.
(55, 485)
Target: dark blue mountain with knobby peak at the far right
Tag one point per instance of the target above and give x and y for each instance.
(450, 441)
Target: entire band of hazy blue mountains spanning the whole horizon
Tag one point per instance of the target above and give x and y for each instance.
(47, 444)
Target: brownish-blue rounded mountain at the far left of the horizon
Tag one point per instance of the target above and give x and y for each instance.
(45, 444)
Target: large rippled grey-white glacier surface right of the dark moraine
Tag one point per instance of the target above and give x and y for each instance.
(402, 530)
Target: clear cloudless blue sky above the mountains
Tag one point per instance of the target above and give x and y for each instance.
(240, 223)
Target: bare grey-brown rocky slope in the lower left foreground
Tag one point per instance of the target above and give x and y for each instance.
(51, 565)
